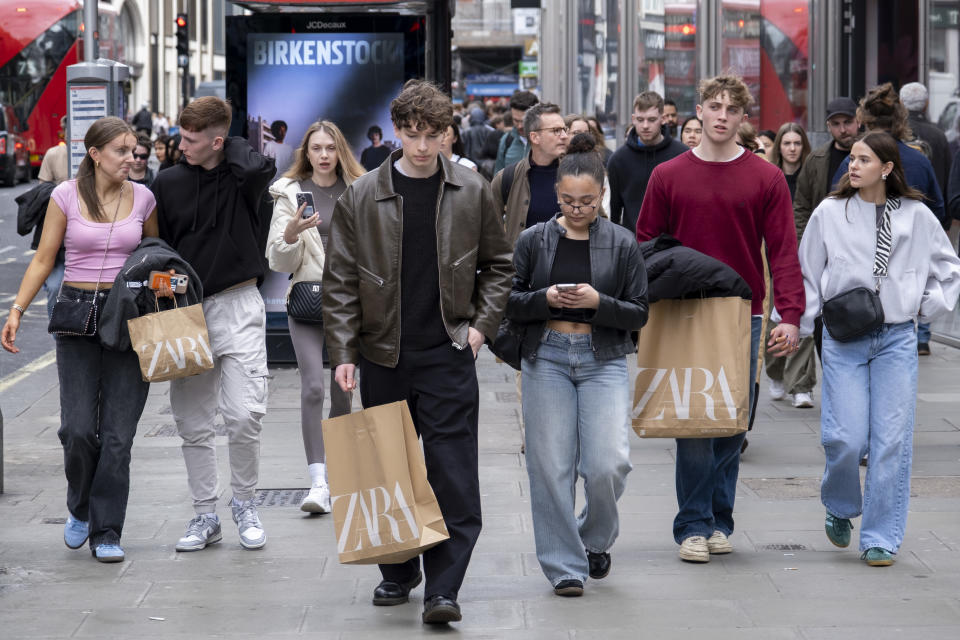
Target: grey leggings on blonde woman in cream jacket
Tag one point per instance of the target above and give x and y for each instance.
(308, 345)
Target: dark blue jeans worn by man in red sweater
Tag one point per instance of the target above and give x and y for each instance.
(707, 469)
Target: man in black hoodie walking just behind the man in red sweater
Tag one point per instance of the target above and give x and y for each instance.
(630, 166)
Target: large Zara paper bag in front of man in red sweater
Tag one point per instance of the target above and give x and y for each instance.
(693, 361)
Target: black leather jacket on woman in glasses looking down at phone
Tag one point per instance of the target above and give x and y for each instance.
(617, 273)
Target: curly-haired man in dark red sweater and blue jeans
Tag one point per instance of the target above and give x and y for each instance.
(724, 201)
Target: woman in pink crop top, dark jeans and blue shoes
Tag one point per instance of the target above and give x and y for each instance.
(100, 218)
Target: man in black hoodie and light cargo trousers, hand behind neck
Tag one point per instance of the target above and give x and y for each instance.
(208, 212)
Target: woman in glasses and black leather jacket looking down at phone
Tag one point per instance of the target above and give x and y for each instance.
(579, 291)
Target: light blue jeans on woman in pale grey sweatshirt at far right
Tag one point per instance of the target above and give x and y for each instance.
(869, 398)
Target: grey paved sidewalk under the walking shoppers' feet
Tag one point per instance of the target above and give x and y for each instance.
(785, 580)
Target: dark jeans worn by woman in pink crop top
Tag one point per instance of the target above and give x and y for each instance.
(102, 396)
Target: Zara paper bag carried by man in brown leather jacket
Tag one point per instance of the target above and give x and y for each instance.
(384, 510)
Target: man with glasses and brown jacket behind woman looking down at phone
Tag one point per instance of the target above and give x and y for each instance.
(525, 191)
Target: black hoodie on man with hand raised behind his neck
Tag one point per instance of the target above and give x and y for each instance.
(211, 217)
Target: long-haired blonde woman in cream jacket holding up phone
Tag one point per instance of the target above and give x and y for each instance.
(323, 165)
